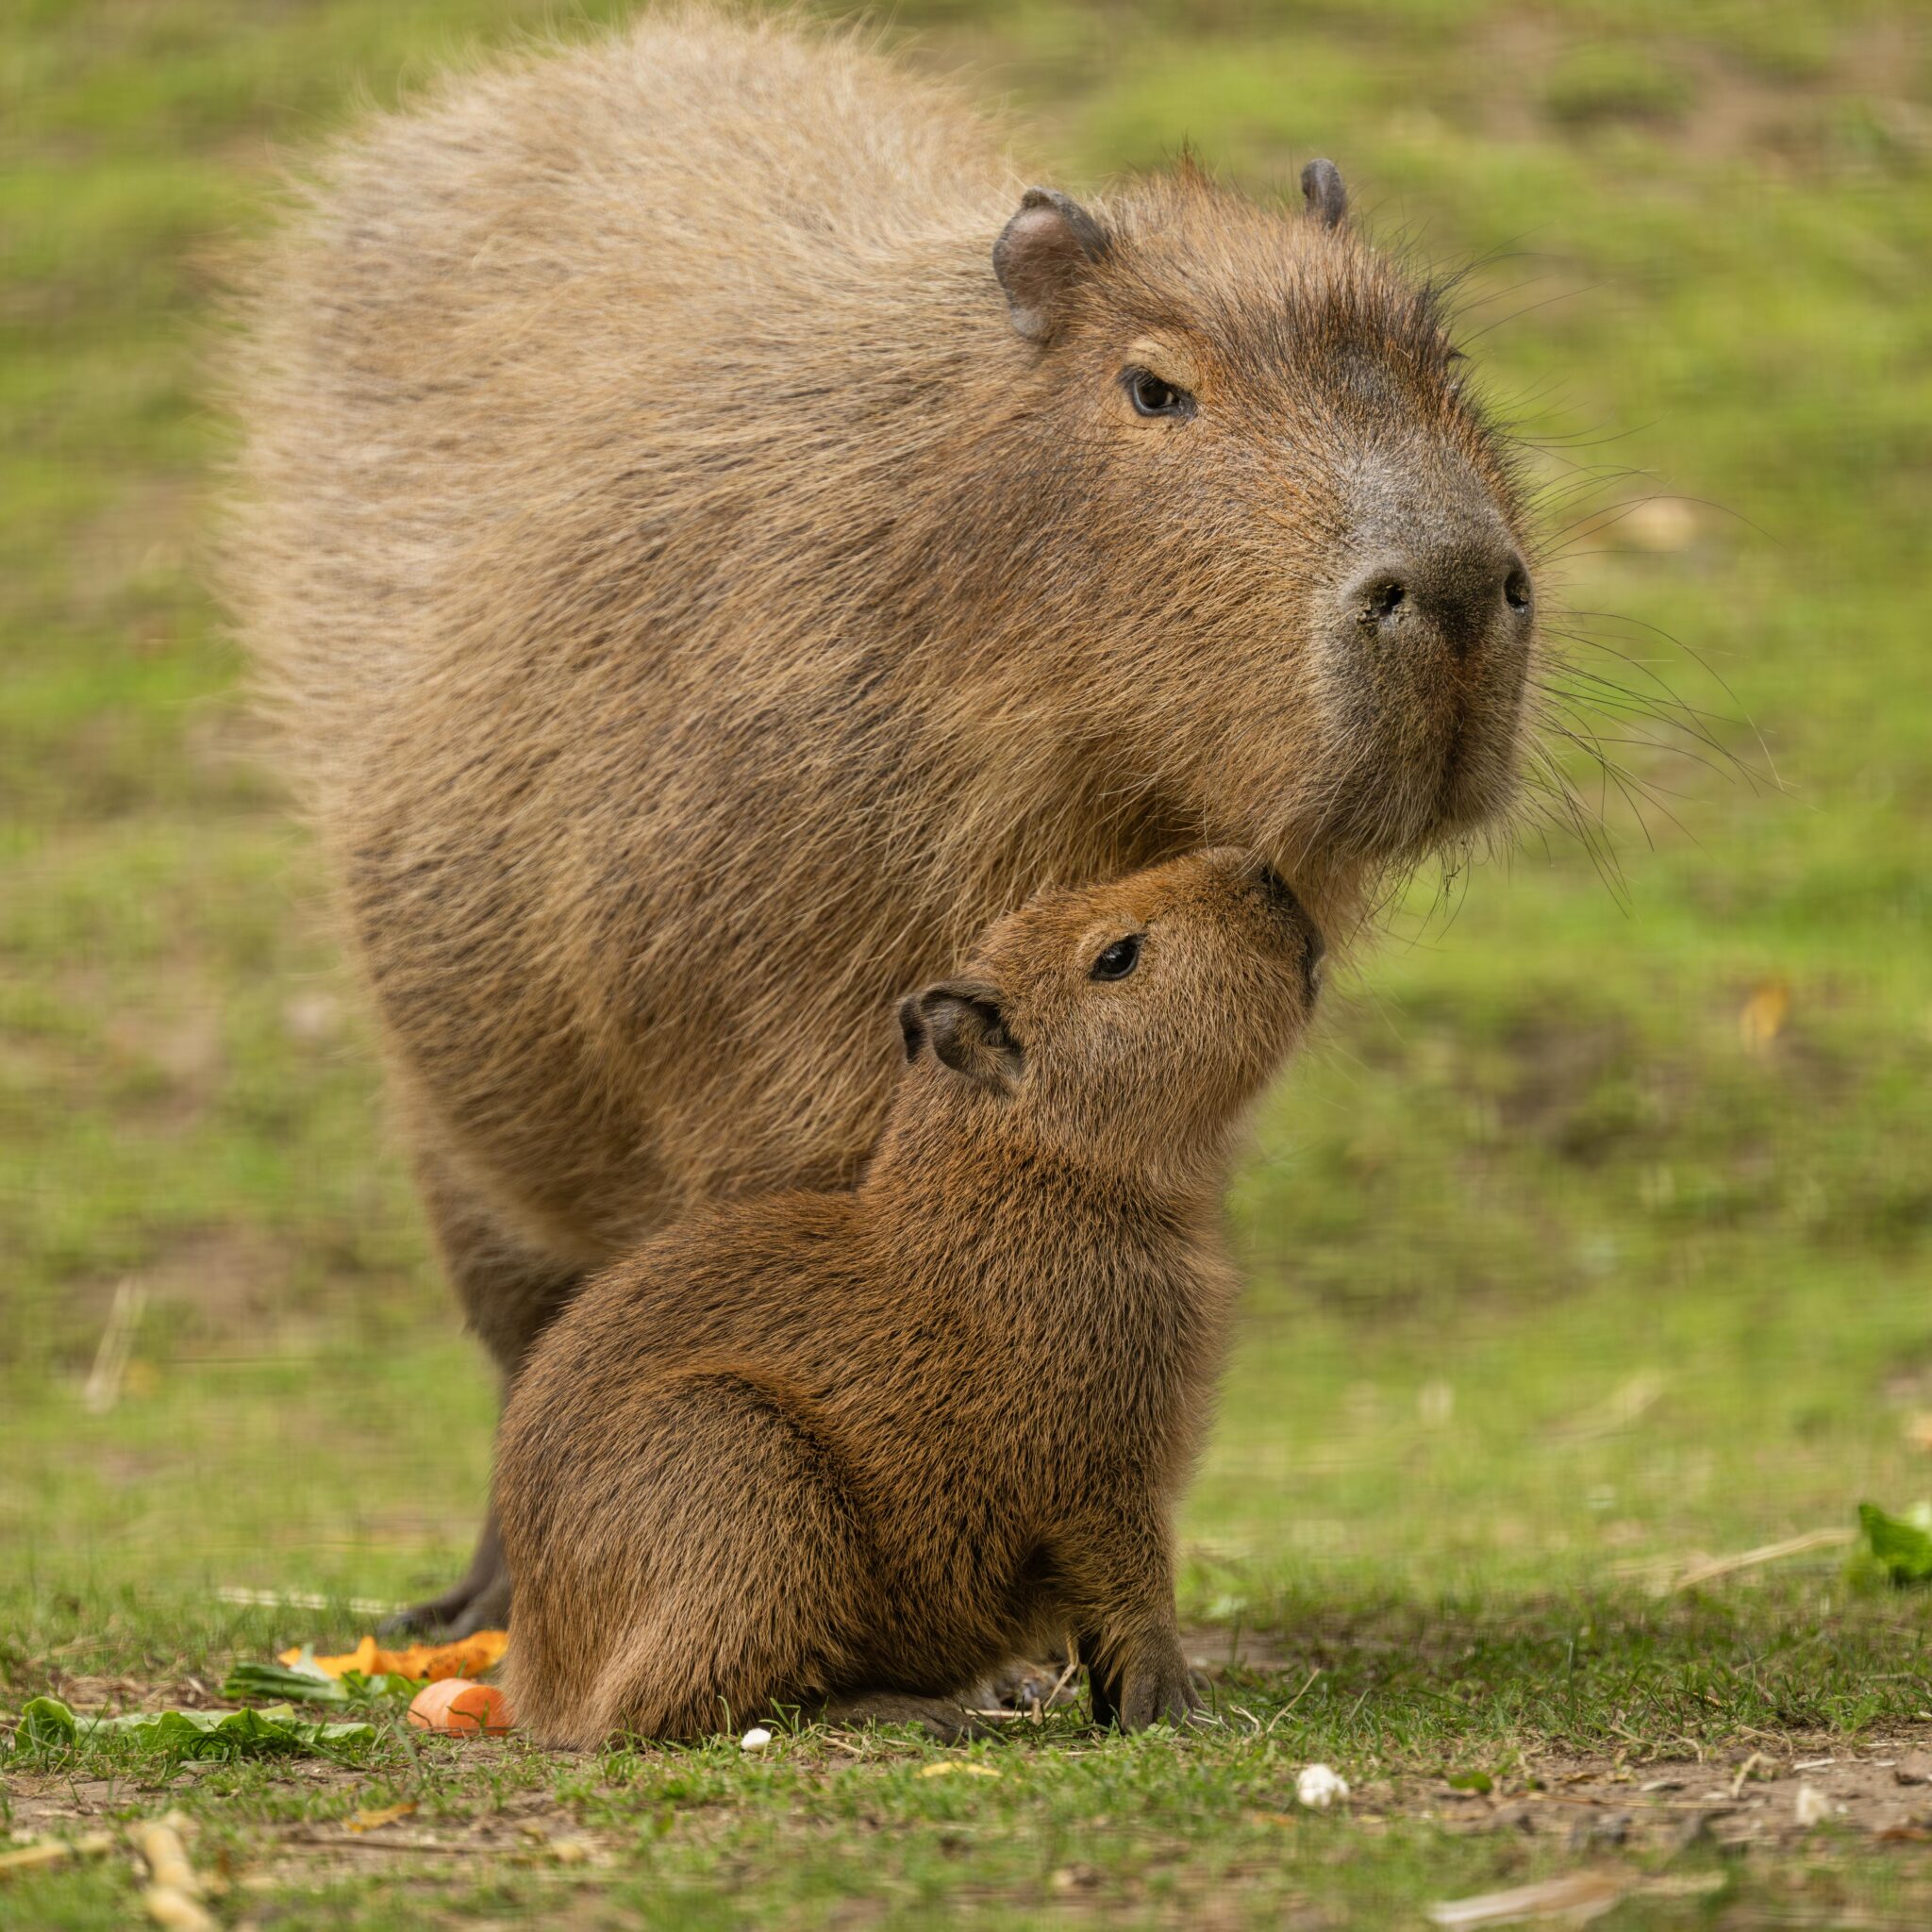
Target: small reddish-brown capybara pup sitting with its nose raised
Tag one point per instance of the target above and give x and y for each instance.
(780, 1456)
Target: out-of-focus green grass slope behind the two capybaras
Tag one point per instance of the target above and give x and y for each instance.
(1599, 1230)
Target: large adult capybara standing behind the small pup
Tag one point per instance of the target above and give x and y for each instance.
(716, 538)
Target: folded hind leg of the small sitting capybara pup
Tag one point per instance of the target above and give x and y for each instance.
(760, 1574)
